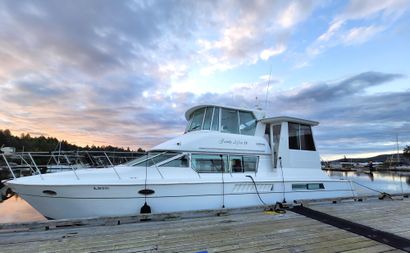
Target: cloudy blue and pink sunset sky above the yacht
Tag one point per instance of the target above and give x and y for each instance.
(124, 72)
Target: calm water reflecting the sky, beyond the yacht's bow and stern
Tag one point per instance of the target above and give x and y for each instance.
(17, 210)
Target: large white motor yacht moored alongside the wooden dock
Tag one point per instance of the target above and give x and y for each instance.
(227, 158)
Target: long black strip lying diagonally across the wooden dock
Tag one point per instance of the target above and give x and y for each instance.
(390, 239)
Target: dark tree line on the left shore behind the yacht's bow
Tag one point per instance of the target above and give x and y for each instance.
(36, 144)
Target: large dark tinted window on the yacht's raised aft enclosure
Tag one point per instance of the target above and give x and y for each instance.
(300, 137)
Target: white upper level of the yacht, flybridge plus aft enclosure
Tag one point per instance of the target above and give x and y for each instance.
(214, 128)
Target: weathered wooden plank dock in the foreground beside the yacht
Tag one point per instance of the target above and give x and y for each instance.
(245, 230)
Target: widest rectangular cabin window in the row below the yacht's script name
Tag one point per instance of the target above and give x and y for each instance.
(209, 163)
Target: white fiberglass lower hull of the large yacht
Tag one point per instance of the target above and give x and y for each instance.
(79, 201)
